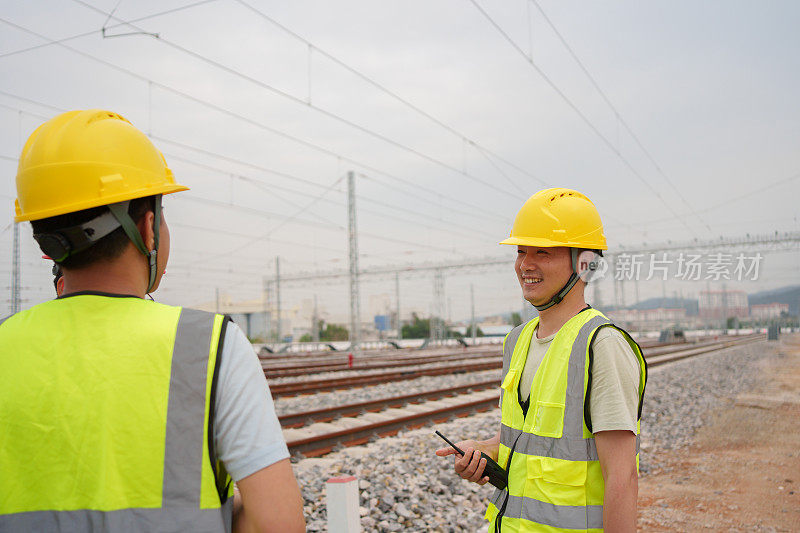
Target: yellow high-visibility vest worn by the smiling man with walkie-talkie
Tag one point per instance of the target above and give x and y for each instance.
(555, 482)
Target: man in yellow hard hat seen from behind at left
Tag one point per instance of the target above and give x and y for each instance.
(119, 413)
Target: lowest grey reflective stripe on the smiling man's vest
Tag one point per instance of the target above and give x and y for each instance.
(560, 516)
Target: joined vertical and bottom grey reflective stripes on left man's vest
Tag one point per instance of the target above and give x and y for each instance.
(183, 455)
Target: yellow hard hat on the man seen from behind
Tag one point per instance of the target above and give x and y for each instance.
(84, 159)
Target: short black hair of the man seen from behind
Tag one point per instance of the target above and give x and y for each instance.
(109, 247)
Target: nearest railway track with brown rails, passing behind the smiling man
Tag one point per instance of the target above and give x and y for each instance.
(321, 444)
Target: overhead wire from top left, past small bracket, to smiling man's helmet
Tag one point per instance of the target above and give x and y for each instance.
(321, 110)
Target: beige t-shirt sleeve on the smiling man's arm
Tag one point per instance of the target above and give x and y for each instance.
(614, 400)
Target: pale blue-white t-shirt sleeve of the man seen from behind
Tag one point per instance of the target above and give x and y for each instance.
(247, 434)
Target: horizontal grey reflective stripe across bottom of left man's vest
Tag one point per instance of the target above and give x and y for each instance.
(175, 520)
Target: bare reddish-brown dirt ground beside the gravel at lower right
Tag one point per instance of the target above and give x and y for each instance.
(742, 472)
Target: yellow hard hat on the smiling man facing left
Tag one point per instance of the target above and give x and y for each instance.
(558, 217)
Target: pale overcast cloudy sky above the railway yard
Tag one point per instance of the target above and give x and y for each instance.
(681, 120)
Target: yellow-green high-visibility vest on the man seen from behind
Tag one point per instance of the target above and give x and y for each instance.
(106, 418)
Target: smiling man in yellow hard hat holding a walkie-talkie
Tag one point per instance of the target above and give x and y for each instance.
(572, 386)
